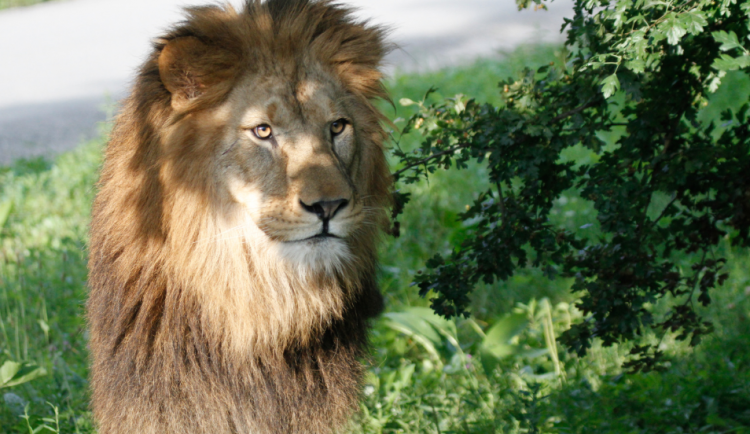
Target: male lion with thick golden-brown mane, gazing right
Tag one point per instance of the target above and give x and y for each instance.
(233, 241)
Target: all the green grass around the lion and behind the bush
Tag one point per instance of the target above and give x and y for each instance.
(426, 375)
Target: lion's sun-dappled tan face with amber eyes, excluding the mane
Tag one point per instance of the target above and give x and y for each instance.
(290, 159)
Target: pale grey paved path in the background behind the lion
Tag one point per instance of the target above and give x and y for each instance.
(63, 61)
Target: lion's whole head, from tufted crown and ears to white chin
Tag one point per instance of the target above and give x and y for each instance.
(281, 138)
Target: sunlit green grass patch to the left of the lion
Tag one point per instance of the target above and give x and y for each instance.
(43, 285)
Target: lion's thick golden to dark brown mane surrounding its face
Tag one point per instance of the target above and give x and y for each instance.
(197, 336)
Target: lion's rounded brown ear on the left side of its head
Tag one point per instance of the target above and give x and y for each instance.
(195, 73)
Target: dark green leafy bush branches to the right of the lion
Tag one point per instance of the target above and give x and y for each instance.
(667, 185)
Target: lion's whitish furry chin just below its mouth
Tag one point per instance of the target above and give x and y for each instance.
(319, 253)
